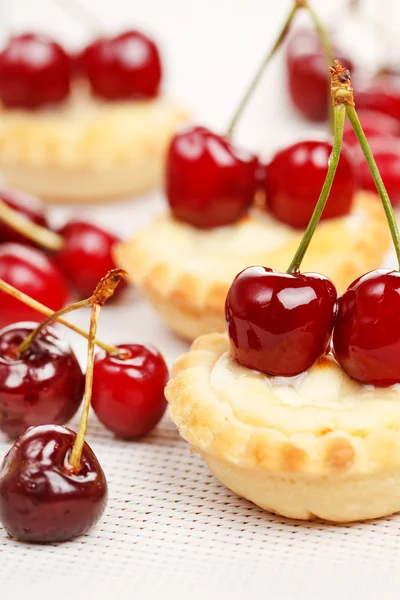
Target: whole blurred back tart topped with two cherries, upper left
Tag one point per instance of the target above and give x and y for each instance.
(94, 136)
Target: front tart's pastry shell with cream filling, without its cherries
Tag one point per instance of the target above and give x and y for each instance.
(317, 445)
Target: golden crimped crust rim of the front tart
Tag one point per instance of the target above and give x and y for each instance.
(209, 425)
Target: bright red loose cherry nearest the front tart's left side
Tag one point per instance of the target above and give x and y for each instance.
(128, 393)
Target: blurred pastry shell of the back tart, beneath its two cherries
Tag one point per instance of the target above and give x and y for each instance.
(87, 149)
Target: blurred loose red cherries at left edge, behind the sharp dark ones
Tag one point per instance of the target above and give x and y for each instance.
(80, 253)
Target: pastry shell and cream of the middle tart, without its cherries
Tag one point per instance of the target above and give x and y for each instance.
(186, 272)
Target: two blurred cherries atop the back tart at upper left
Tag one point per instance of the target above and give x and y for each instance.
(36, 71)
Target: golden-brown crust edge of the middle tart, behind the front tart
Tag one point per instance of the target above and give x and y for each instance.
(192, 307)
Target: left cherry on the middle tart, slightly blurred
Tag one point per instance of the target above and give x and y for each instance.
(209, 182)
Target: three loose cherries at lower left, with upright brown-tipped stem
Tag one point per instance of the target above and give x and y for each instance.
(52, 487)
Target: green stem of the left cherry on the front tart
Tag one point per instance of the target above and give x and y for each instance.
(339, 118)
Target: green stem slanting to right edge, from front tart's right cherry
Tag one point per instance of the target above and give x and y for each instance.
(380, 186)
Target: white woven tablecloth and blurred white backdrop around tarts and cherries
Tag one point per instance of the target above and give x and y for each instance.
(170, 529)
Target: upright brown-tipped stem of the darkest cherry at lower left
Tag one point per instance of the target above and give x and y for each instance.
(102, 293)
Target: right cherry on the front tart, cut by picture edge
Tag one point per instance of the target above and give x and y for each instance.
(366, 339)
